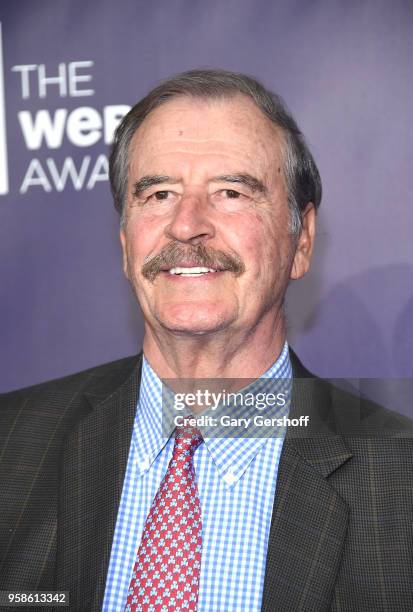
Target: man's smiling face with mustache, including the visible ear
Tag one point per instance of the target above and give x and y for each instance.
(206, 243)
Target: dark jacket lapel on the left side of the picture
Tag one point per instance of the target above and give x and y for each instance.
(93, 469)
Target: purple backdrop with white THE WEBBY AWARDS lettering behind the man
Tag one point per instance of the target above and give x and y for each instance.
(69, 70)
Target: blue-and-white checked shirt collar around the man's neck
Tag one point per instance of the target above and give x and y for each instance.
(231, 455)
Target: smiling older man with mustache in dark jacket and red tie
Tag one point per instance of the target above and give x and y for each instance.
(217, 193)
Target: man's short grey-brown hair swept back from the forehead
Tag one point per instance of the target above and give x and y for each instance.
(301, 174)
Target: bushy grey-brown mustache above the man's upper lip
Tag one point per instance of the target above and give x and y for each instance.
(174, 254)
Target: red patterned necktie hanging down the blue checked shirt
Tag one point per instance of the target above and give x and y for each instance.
(167, 568)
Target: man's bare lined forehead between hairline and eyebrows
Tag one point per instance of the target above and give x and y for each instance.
(243, 137)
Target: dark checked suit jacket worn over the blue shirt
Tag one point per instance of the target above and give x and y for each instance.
(341, 530)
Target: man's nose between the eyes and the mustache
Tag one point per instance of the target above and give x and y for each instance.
(191, 221)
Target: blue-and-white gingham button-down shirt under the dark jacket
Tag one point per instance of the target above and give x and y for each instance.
(236, 481)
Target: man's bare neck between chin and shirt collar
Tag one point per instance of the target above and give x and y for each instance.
(223, 354)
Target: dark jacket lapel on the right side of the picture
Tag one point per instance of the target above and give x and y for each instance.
(310, 518)
